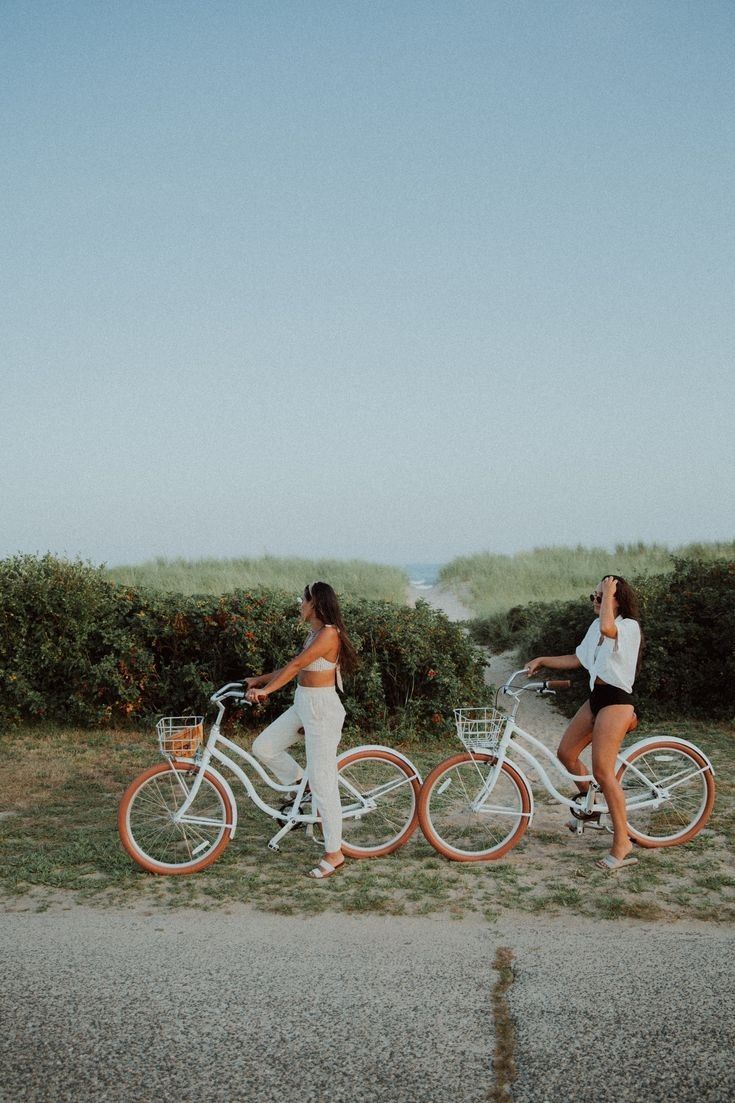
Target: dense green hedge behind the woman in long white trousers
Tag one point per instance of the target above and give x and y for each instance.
(80, 650)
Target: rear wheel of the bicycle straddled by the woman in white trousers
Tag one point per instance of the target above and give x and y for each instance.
(392, 784)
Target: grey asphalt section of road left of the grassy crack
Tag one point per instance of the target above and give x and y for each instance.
(115, 1006)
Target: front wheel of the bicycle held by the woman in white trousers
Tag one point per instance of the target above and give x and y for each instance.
(148, 833)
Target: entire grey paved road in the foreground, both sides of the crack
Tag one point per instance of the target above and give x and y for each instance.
(113, 1005)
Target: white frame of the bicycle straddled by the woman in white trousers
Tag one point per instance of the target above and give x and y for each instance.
(212, 751)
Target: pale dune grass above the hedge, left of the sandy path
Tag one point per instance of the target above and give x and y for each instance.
(355, 579)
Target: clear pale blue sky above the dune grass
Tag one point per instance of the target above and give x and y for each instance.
(401, 281)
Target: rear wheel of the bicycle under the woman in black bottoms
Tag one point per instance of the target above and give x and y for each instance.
(689, 808)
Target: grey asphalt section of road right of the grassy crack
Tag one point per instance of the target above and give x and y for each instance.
(615, 1013)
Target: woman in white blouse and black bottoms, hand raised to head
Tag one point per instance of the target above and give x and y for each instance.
(610, 652)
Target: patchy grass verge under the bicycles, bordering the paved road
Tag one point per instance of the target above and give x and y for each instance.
(58, 833)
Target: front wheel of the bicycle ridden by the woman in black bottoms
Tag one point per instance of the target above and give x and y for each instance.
(448, 819)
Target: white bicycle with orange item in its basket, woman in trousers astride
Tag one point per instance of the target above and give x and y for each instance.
(178, 817)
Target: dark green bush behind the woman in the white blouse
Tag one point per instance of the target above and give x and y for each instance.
(688, 618)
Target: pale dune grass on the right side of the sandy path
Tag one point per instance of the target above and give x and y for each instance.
(493, 584)
